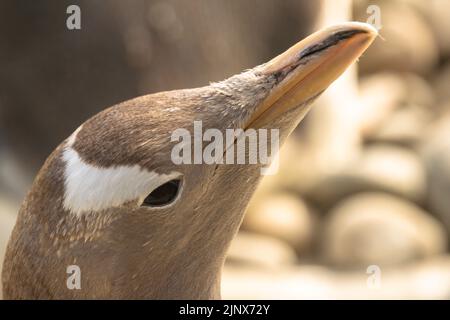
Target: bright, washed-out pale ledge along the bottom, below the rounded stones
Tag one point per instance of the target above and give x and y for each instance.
(429, 279)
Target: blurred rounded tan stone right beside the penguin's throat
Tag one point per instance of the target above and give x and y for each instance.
(283, 216)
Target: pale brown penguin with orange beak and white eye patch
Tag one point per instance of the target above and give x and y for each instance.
(110, 200)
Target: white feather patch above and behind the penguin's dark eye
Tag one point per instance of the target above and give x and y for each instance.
(91, 188)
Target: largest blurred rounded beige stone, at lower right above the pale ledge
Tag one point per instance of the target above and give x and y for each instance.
(380, 229)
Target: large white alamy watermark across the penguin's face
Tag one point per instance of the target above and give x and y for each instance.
(239, 146)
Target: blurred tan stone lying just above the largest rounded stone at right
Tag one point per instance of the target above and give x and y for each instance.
(380, 168)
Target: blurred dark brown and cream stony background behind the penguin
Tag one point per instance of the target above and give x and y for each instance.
(360, 207)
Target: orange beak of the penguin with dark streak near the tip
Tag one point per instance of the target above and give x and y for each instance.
(310, 66)
